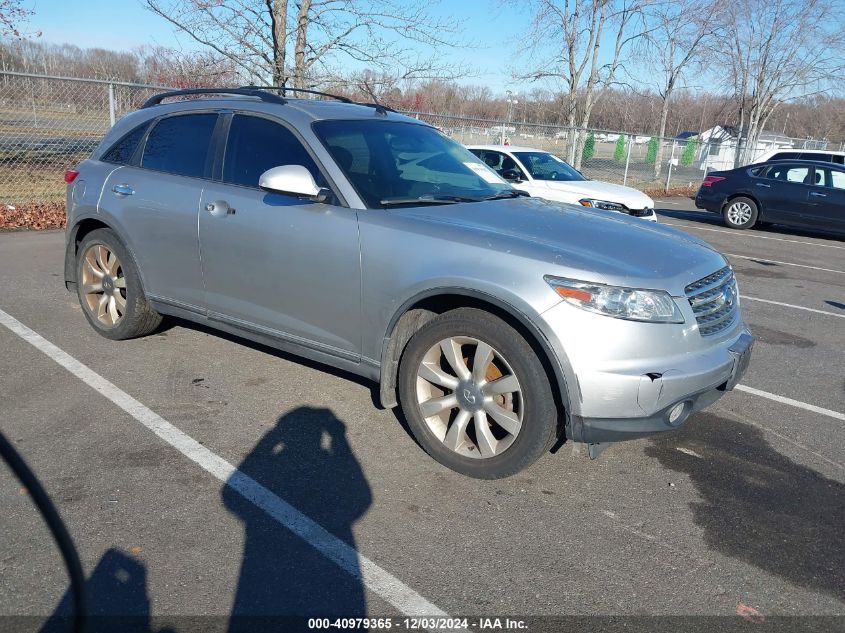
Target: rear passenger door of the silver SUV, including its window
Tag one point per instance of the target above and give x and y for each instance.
(155, 203)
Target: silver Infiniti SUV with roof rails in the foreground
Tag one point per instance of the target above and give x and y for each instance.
(367, 240)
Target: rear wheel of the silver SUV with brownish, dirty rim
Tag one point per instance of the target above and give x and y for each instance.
(118, 310)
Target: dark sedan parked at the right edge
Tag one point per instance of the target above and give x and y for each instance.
(801, 194)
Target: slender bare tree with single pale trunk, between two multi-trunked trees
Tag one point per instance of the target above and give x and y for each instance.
(678, 36)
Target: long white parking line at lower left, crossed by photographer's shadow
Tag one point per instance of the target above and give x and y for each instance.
(376, 579)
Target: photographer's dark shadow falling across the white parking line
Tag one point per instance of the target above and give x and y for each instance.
(305, 460)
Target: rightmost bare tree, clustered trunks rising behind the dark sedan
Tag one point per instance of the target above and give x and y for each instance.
(777, 51)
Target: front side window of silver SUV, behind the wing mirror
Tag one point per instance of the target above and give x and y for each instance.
(256, 145)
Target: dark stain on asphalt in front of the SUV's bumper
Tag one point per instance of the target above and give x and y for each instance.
(758, 506)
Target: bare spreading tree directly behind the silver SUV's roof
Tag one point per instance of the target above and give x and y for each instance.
(260, 36)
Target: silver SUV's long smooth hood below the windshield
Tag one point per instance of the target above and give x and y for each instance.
(584, 243)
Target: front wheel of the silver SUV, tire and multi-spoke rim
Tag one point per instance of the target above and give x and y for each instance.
(528, 415)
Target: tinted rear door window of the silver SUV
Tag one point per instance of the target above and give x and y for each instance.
(180, 144)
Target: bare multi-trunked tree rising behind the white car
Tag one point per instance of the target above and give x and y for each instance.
(566, 39)
